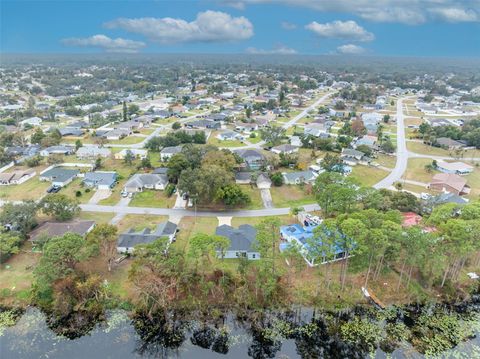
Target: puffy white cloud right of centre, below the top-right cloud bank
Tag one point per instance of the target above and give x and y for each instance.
(341, 30)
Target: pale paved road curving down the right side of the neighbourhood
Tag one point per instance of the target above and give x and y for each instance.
(402, 153)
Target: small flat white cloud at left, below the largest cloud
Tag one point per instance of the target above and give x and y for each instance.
(106, 43)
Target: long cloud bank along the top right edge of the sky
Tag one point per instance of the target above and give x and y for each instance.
(411, 12)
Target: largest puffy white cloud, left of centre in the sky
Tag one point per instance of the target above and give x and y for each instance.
(209, 26)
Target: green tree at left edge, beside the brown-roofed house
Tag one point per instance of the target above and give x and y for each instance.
(20, 217)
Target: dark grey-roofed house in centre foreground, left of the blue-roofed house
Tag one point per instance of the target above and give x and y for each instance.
(242, 241)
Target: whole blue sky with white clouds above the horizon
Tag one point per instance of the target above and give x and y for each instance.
(444, 28)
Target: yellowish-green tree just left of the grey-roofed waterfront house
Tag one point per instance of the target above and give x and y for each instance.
(104, 237)
